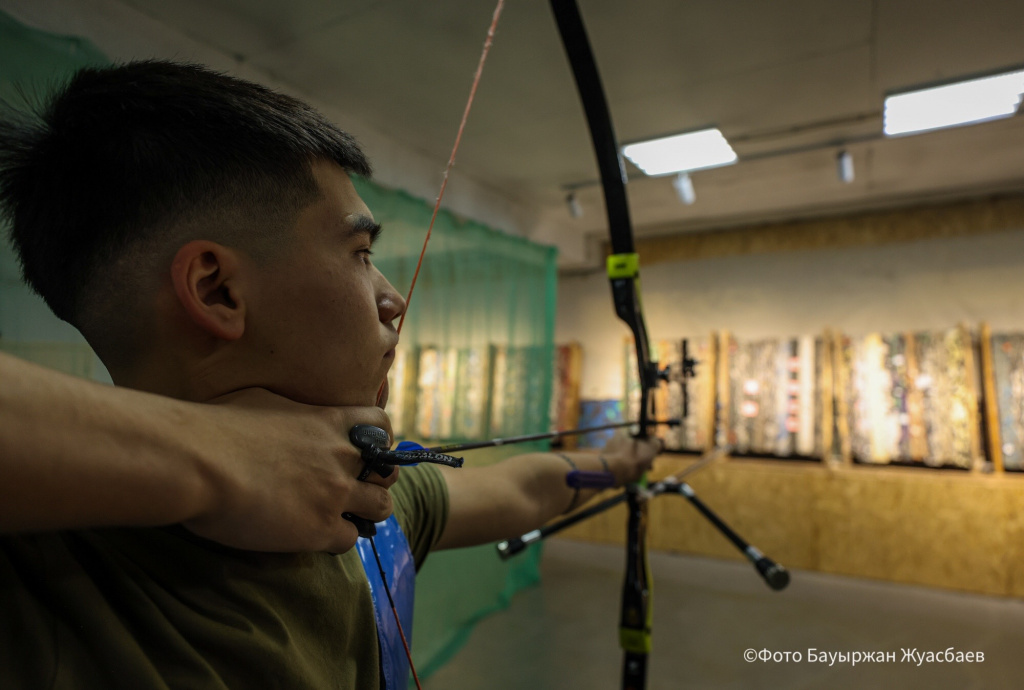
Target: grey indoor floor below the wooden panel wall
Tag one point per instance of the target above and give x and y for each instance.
(564, 634)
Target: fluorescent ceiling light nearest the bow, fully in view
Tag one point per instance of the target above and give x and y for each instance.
(682, 153)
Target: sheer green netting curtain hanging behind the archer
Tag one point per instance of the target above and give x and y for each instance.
(485, 304)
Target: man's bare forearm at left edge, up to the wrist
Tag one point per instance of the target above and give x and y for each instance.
(76, 454)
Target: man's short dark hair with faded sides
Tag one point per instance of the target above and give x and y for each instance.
(123, 159)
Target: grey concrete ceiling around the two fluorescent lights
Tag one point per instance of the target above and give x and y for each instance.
(789, 82)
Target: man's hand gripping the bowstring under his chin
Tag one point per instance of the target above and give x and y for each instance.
(279, 475)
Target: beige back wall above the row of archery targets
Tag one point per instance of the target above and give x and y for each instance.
(920, 269)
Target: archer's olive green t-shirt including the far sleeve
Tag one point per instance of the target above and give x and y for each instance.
(143, 609)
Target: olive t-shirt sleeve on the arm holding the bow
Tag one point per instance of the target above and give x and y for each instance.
(421, 504)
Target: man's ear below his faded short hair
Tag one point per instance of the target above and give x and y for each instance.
(206, 279)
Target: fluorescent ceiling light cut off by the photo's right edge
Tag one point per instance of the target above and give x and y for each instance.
(953, 105)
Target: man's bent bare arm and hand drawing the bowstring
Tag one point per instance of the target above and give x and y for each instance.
(255, 472)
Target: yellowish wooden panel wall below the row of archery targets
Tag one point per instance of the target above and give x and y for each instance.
(949, 530)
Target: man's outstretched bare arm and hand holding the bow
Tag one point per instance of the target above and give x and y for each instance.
(525, 492)
